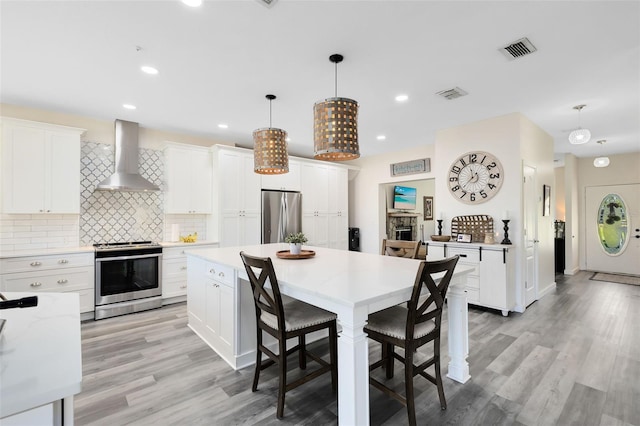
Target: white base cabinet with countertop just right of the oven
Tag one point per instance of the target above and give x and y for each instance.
(174, 273)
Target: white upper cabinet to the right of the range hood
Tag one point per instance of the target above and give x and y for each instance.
(188, 179)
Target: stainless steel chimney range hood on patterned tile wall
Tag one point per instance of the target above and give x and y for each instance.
(126, 176)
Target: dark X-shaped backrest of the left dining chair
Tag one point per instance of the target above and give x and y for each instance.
(264, 284)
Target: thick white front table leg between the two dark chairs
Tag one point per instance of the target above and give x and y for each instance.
(353, 370)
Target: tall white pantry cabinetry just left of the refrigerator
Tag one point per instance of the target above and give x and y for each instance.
(238, 189)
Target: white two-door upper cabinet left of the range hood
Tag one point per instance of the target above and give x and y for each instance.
(40, 167)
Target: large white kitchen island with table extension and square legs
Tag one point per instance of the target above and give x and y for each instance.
(351, 284)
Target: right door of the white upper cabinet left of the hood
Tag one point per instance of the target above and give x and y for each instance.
(62, 194)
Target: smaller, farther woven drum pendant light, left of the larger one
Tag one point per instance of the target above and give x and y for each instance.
(270, 148)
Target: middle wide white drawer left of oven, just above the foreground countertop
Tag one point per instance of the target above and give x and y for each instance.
(57, 281)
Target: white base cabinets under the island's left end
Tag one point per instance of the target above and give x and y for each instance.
(221, 312)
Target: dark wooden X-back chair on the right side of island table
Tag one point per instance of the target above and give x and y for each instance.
(411, 327)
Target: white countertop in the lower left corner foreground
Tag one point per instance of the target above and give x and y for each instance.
(40, 352)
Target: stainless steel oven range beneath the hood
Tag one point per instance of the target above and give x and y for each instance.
(128, 278)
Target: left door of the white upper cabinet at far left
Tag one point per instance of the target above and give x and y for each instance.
(23, 169)
